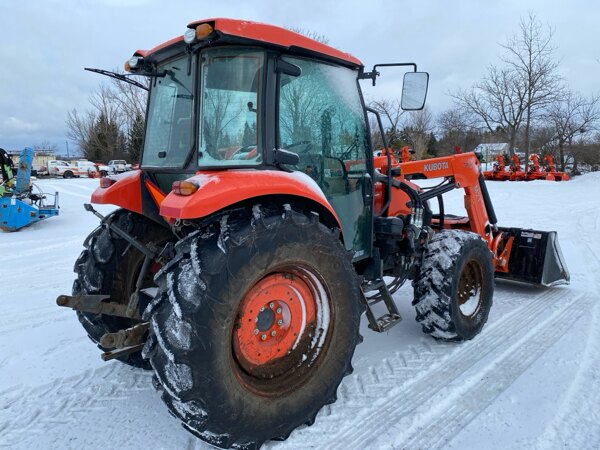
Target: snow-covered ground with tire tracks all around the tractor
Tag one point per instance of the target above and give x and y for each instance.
(531, 379)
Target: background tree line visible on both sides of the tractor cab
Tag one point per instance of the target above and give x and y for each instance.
(521, 100)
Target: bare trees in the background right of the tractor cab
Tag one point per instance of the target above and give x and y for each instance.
(522, 100)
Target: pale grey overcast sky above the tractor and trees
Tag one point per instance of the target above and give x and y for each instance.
(46, 44)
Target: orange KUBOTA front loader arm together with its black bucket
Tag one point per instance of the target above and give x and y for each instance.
(529, 256)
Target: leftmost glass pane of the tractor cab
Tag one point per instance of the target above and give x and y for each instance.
(169, 123)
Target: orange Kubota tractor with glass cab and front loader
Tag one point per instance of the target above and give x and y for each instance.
(260, 227)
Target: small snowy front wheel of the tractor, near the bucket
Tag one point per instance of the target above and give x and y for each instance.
(454, 286)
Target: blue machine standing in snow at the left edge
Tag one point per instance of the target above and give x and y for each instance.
(19, 205)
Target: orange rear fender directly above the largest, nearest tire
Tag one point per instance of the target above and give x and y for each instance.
(218, 190)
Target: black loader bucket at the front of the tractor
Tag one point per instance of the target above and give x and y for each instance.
(535, 258)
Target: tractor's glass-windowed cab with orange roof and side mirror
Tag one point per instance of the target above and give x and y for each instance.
(240, 95)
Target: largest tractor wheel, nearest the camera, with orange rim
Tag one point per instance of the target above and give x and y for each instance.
(254, 326)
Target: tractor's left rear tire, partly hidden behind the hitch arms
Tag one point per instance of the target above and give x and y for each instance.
(107, 266)
